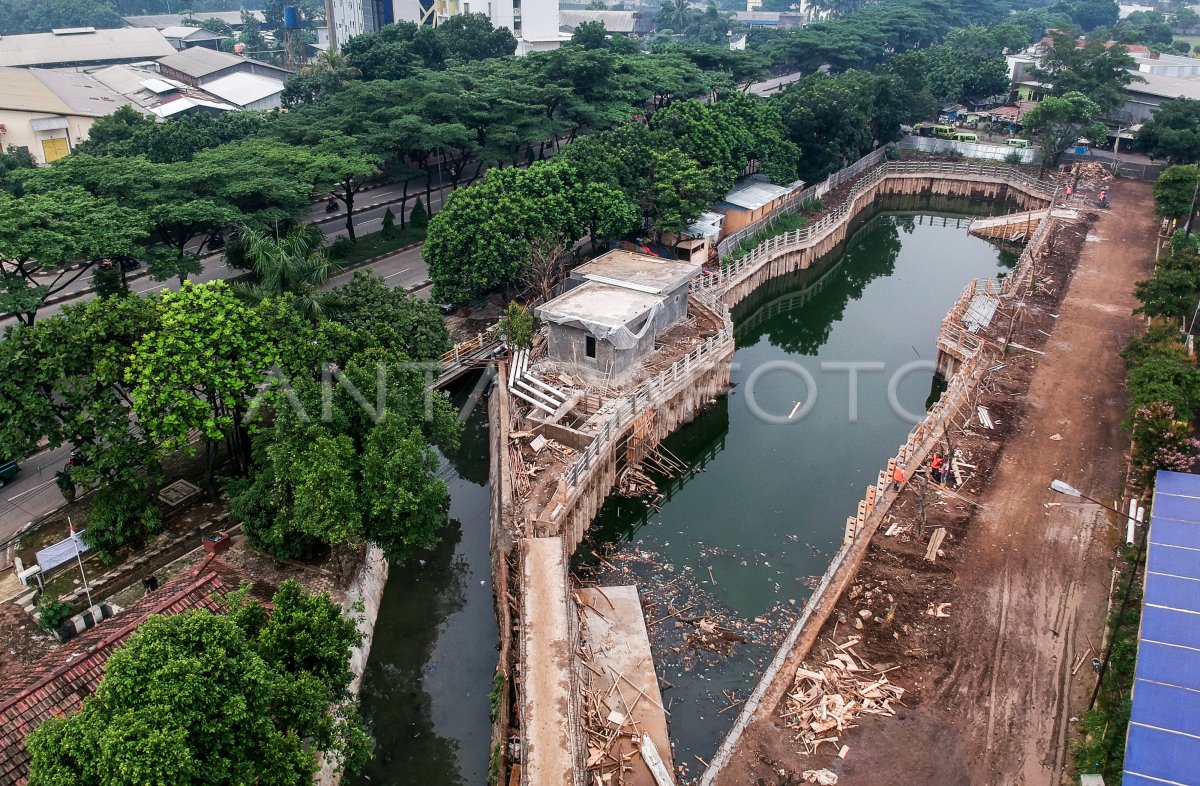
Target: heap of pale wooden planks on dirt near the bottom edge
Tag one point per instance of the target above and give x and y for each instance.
(829, 698)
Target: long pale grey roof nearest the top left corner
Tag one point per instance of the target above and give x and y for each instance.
(101, 46)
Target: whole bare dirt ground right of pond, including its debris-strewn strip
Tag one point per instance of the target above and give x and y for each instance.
(991, 692)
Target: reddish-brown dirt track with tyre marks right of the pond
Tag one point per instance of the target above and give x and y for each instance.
(991, 692)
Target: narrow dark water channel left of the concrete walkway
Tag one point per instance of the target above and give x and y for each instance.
(428, 680)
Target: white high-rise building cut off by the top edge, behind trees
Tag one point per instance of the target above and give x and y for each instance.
(535, 23)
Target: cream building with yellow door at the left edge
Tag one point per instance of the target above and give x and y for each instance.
(50, 112)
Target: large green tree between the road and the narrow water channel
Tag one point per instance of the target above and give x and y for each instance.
(364, 471)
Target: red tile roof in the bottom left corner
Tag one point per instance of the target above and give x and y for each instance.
(58, 685)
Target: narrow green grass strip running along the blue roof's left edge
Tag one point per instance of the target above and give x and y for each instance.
(1101, 749)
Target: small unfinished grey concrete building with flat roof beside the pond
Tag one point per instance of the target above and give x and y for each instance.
(616, 308)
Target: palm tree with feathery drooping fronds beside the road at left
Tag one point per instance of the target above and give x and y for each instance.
(293, 263)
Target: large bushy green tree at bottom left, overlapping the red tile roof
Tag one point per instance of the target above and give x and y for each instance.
(211, 700)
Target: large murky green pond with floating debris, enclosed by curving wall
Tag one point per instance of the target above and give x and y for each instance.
(745, 538)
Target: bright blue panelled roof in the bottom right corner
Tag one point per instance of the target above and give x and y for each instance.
(1163, 743)
